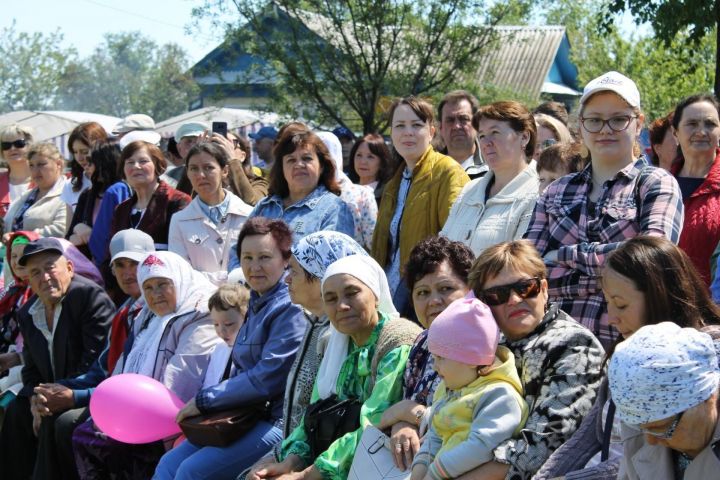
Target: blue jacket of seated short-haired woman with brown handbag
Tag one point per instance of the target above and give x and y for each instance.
(263, 353)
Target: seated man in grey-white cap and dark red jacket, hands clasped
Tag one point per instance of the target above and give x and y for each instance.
(65, 403)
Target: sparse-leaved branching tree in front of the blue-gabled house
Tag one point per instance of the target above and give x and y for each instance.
(340, 61)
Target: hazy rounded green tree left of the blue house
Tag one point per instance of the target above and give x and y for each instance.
(129, 73)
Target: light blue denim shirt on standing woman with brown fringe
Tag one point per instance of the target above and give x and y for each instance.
(321, 210)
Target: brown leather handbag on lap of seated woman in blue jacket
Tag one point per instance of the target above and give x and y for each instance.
(222, 428)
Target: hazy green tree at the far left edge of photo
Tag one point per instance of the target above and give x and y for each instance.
(32, 69)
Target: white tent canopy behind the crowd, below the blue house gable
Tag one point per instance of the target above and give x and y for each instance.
(236, 118)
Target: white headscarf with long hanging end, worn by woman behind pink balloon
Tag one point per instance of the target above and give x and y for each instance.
(192, 291)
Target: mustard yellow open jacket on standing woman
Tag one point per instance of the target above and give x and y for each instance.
(436, 181)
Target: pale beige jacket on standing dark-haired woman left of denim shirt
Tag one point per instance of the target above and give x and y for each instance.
(205, 245)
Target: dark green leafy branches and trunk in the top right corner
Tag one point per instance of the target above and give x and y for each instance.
(688, 20)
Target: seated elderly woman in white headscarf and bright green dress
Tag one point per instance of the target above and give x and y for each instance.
(363, 364)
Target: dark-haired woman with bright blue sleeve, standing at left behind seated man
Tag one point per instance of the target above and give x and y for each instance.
(90, 226)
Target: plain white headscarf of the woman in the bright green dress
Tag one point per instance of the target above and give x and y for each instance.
(369, 272)
